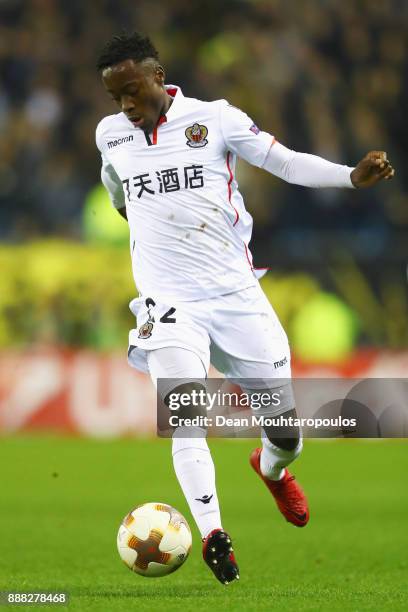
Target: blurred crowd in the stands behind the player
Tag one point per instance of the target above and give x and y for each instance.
(323, 76)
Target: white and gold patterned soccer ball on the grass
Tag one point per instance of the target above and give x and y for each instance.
(154, 539)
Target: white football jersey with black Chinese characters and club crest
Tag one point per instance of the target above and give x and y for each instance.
(189, 230)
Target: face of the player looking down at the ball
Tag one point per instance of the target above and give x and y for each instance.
(138, 89)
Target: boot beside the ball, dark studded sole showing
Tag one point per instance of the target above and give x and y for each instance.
(219, 556)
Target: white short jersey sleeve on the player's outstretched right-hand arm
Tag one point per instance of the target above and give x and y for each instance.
(242, 136)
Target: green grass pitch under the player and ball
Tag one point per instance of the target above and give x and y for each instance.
(62, 500)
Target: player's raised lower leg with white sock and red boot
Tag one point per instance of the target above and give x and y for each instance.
(270, 463)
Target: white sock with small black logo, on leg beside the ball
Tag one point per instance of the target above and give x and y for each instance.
(195, 471)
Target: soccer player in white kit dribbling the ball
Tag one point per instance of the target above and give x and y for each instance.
(168, 163)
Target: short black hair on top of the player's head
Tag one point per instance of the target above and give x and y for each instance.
(124, 46)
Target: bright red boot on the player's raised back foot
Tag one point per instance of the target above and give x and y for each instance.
(288, 495)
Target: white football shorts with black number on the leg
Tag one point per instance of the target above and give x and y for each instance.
(239, 333)
